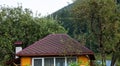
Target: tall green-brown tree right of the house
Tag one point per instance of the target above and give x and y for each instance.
(101, 18)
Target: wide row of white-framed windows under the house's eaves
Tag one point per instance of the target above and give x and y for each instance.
(53, 61)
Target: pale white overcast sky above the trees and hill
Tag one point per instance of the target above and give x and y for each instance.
(44, 7)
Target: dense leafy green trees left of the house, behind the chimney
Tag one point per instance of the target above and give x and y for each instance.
(18, 24)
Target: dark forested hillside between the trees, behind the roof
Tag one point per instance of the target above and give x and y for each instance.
(65, 17)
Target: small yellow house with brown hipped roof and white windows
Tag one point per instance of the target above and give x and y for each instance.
(55, 50)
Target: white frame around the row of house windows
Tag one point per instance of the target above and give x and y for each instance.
(54, 59)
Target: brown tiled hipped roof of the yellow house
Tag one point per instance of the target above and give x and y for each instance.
(55, 45)
